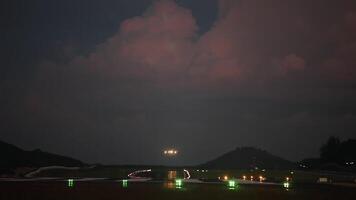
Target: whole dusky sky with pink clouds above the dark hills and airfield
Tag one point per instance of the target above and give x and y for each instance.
(117, 81)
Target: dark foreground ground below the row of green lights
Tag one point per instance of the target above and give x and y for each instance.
(157, 191)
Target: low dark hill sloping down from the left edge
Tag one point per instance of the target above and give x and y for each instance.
(14, 157)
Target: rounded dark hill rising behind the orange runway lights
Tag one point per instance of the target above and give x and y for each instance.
(249, 158)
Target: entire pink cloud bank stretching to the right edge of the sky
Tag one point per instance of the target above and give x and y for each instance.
(248, 42)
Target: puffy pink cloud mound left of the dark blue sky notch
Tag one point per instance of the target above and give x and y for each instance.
(156, 46)
